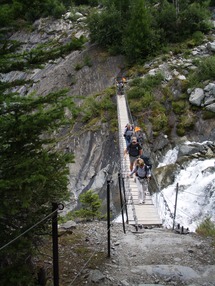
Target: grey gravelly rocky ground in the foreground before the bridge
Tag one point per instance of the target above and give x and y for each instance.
(147, 257)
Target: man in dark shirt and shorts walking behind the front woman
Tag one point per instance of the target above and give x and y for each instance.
(134, 150)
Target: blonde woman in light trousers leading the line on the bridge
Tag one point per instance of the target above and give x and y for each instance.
(143, 175)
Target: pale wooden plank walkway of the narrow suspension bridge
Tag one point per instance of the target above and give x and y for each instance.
(138, 214)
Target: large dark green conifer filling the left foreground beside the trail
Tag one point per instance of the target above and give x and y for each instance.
(33, 174)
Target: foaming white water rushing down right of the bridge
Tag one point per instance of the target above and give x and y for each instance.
(196, 193)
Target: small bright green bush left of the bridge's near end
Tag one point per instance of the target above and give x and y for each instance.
(90, 205)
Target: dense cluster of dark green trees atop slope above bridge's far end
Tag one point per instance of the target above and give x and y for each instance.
(139, 29)
